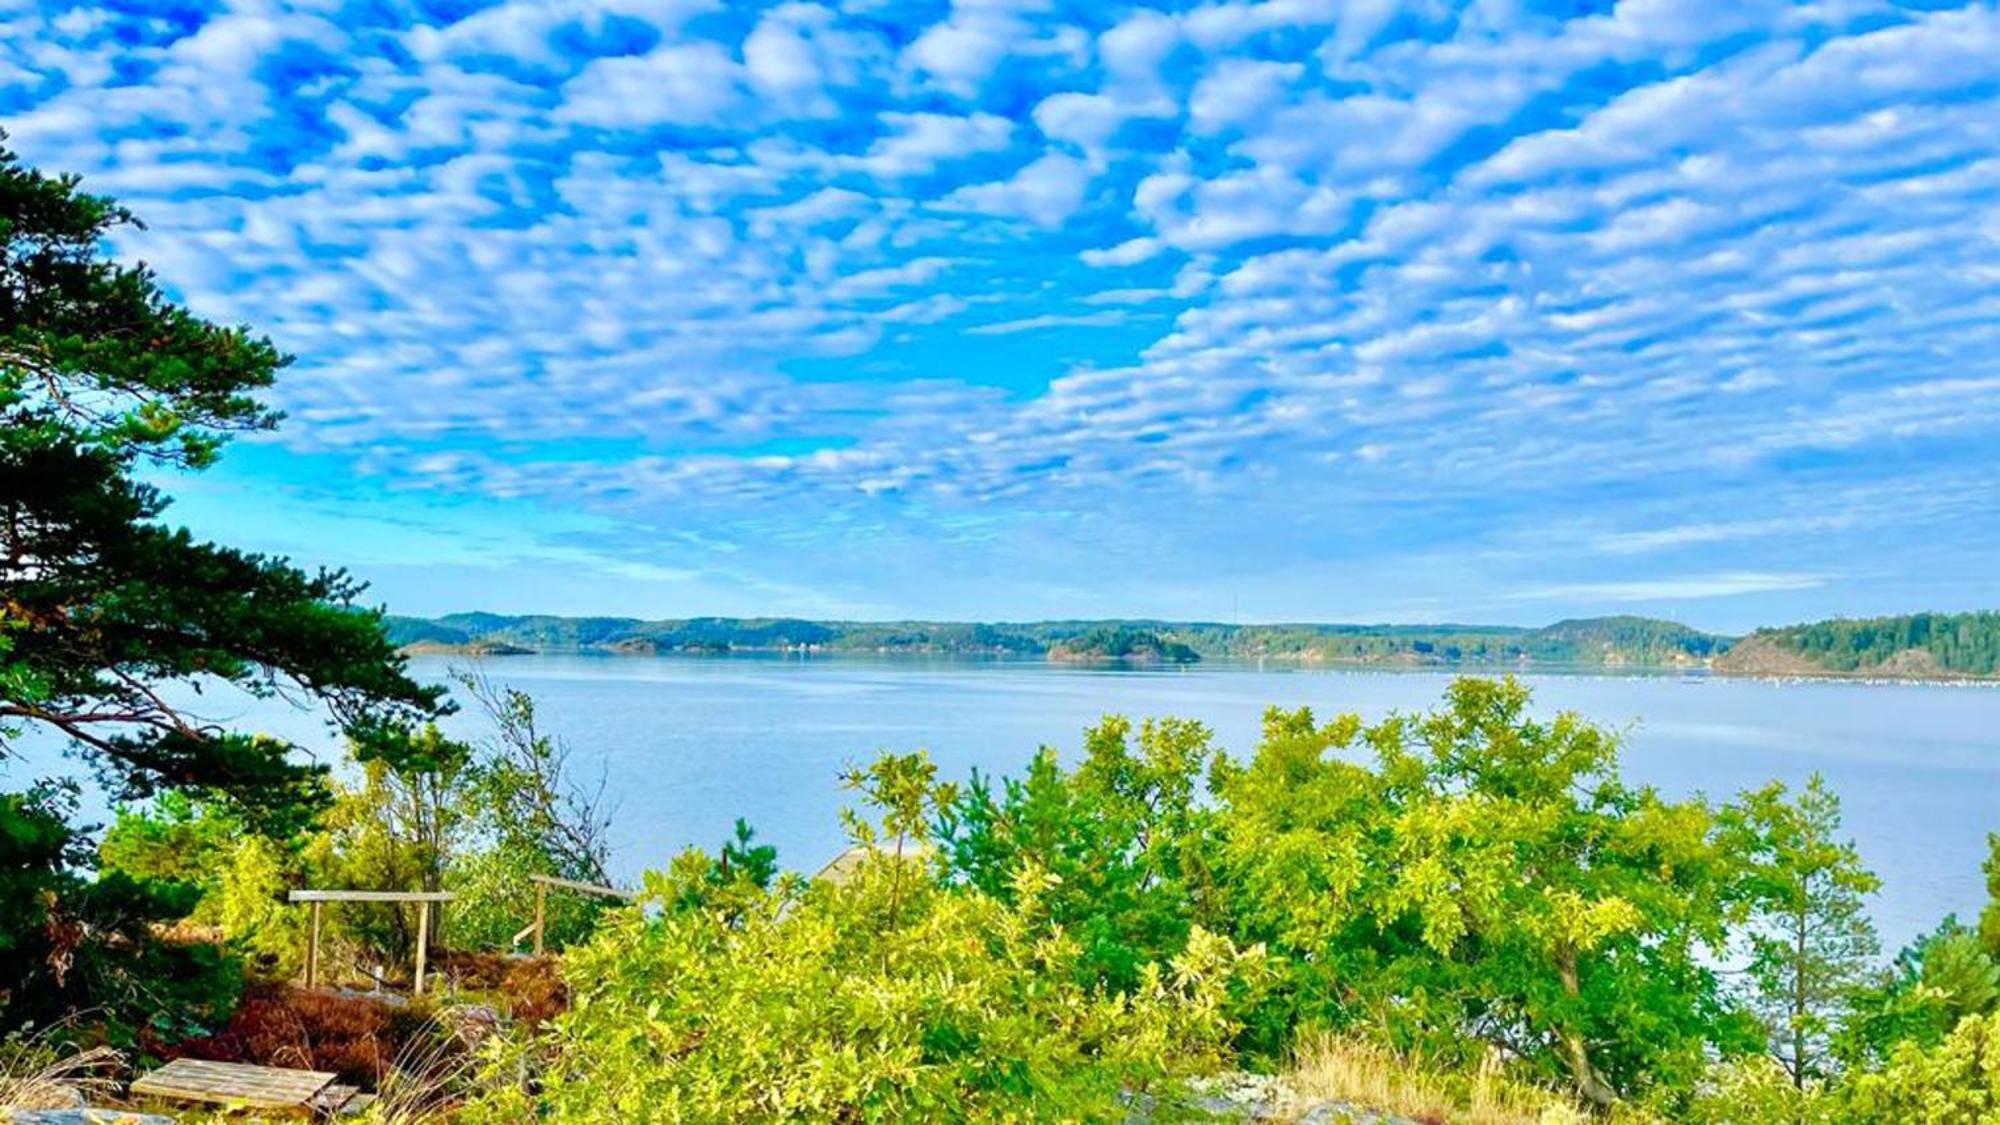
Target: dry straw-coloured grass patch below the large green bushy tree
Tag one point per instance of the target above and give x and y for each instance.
(1351, 1070)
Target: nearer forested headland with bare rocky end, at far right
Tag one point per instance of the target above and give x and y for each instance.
(1921, 646)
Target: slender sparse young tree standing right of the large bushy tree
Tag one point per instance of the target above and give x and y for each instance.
(1811, 942)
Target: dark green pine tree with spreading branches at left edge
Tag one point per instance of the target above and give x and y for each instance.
(107, 614)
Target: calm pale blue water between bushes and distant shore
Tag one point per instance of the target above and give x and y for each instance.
(693, 744)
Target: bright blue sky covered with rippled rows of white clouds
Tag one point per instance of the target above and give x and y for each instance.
(1343, 311)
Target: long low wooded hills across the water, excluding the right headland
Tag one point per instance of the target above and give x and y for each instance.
(1599, 642)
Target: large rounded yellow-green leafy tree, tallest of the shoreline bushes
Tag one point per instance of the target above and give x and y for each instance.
(1489, 882)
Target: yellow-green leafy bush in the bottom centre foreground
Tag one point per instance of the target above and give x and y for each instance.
(889, 996)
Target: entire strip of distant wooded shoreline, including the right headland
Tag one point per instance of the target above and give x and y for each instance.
(1903, 650)
